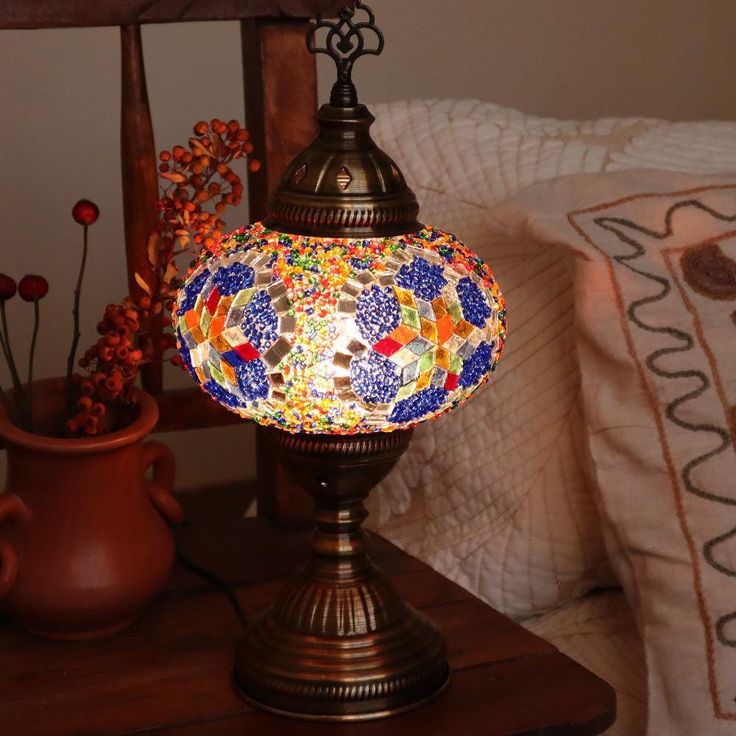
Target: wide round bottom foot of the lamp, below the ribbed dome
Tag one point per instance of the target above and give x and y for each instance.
(342, 678)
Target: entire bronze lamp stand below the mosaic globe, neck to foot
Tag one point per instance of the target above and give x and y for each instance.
(340, 643)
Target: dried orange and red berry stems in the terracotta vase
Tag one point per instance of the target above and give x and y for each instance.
(198, 184)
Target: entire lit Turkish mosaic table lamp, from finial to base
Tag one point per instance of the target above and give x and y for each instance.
(340, 322)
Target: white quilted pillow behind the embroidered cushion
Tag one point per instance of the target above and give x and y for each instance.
(494, 495)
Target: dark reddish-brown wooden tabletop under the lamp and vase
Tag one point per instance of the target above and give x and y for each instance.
(169, 673)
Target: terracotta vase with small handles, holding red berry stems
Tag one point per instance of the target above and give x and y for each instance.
(84, 539)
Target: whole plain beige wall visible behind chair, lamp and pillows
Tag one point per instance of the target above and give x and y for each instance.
(59, 117)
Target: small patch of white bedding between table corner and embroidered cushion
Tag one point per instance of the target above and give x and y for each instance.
(598, 631)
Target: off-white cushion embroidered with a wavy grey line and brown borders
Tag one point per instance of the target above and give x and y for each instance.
(655, 290)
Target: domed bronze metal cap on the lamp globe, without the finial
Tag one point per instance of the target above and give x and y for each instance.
(343, 185)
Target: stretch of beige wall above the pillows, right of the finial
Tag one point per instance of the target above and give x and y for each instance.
(673, 59)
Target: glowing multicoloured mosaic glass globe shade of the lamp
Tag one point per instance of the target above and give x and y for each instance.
(340, 336)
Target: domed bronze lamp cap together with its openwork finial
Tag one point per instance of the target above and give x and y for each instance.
(343, 185)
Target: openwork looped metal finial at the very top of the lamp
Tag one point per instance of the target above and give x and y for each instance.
(344, 43)
